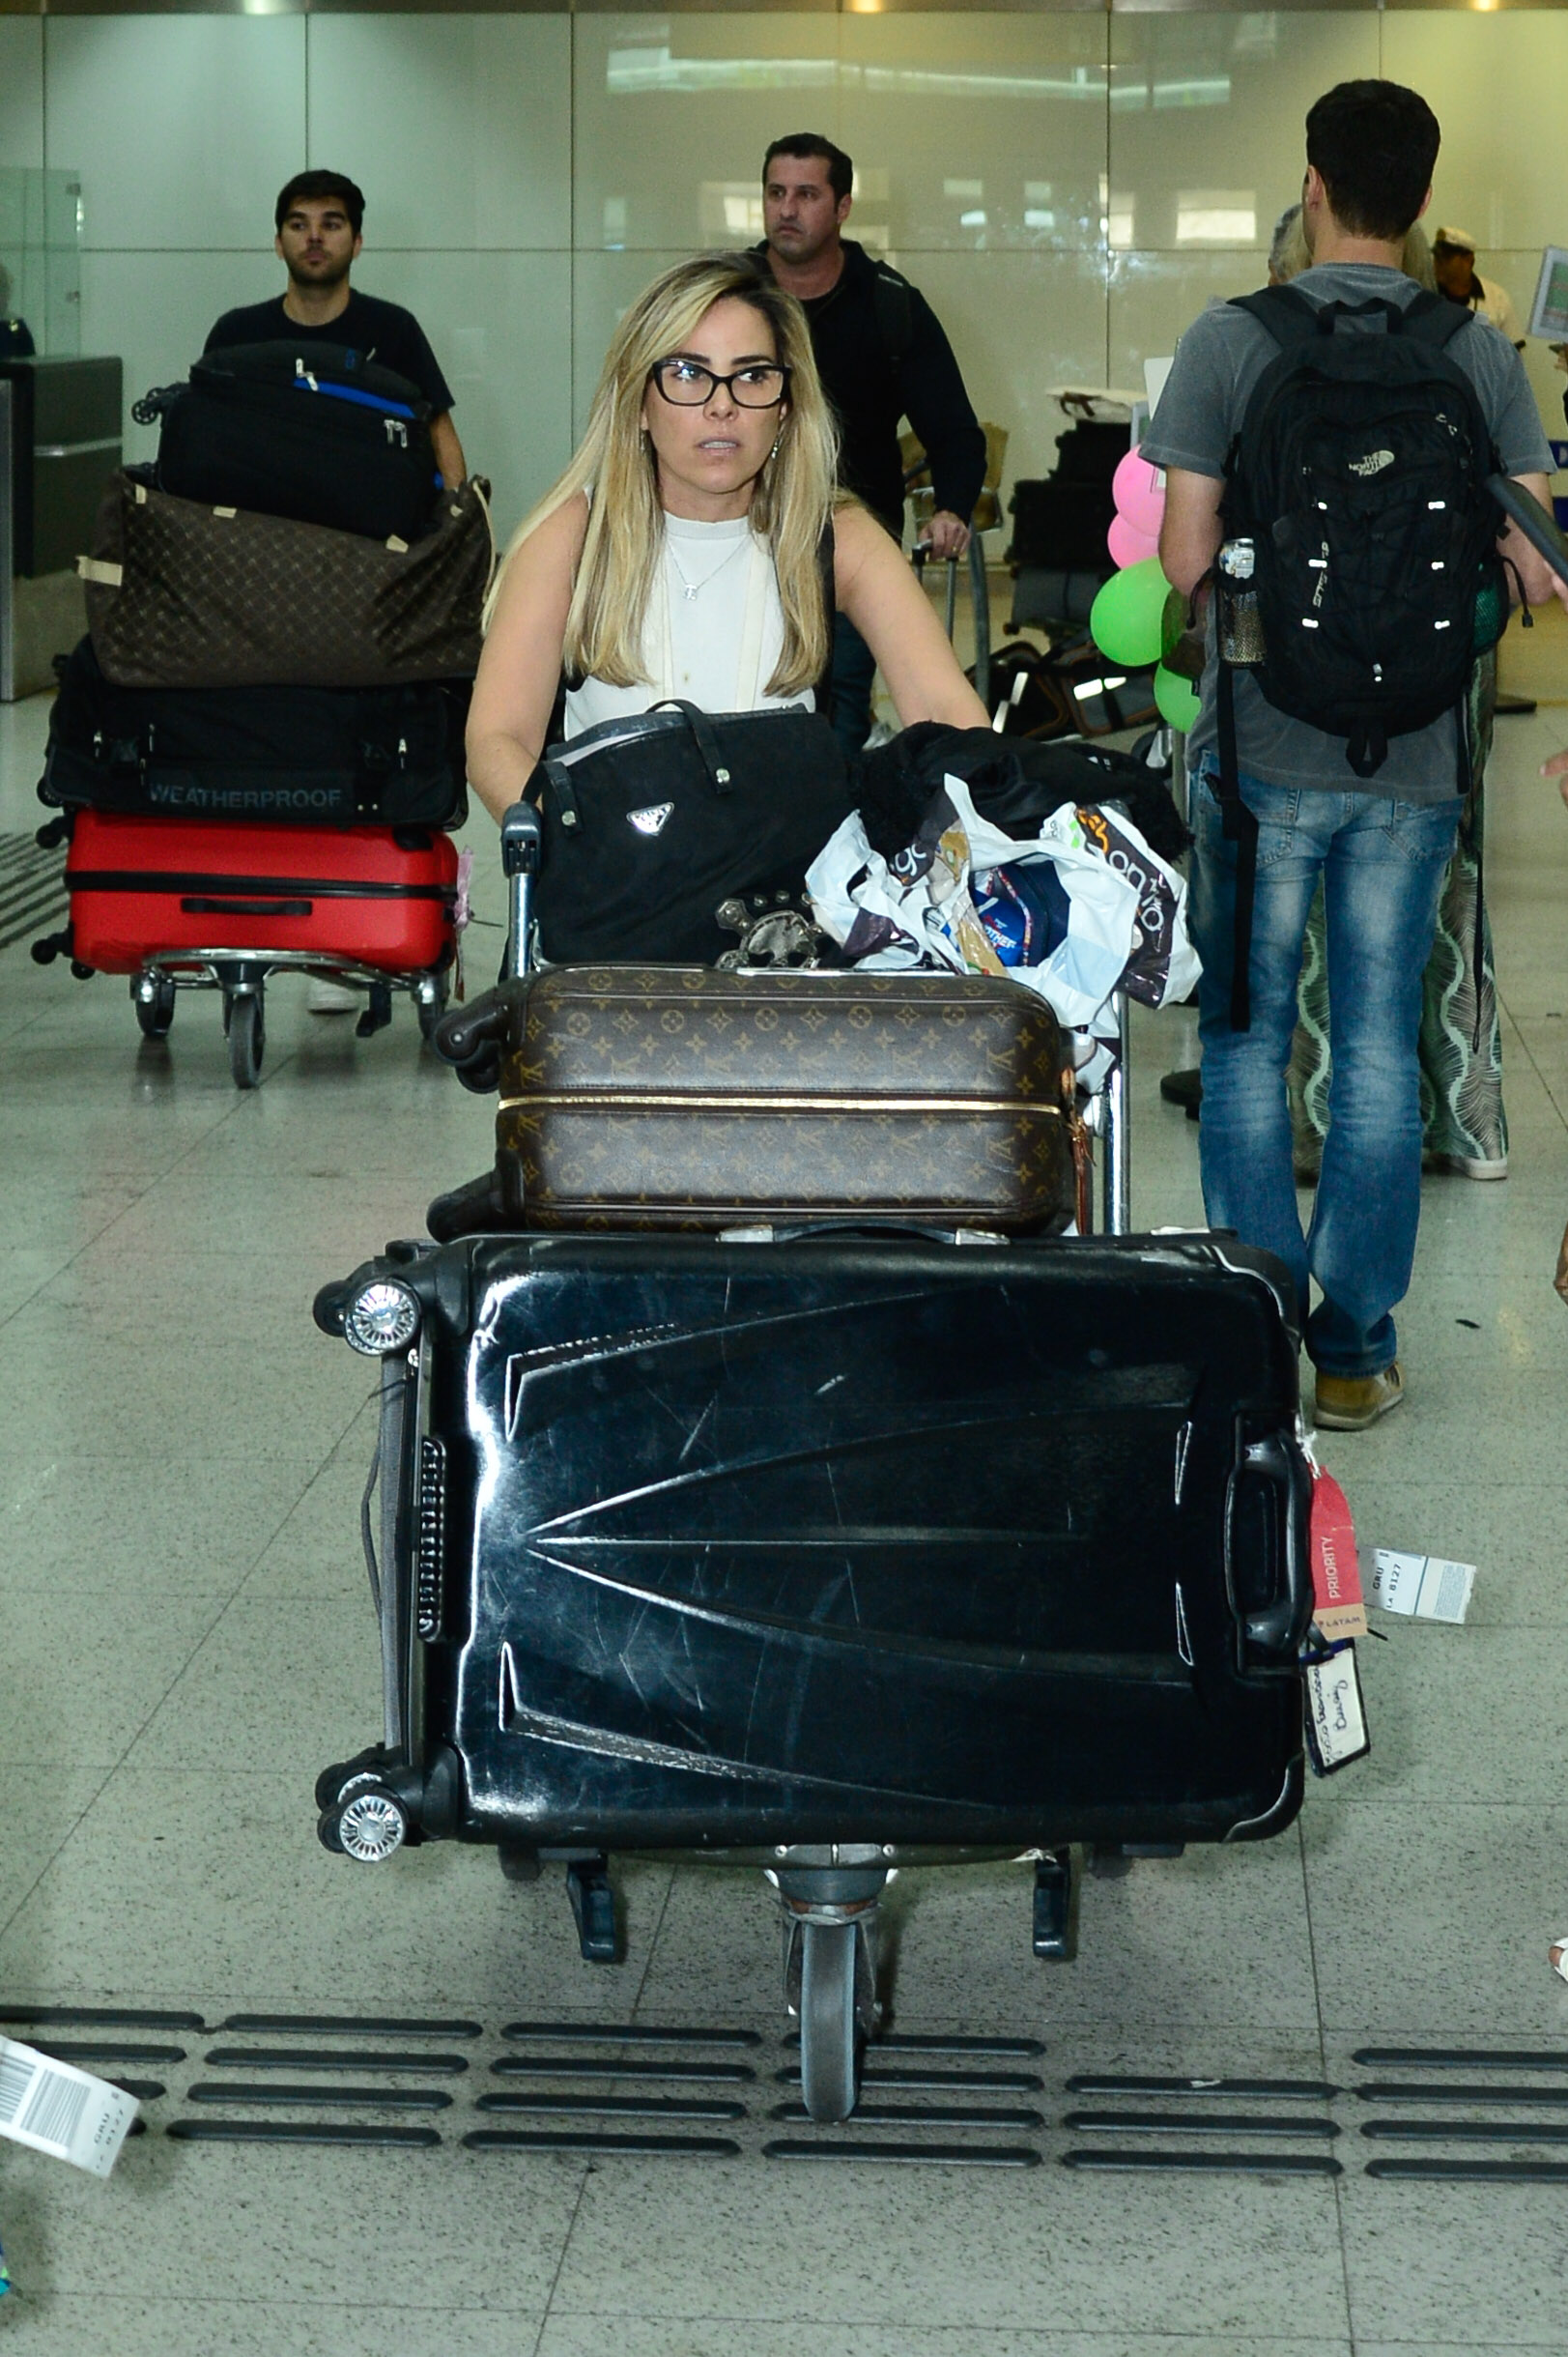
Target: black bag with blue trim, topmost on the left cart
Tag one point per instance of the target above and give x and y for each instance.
(308, 430)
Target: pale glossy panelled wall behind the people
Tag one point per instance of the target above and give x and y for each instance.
(1067, 187)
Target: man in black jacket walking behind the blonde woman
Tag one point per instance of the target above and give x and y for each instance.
(883, 357)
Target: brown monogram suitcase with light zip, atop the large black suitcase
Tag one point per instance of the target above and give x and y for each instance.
(683, 1097)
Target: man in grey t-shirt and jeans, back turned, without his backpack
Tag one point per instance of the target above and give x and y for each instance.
(1378, 843)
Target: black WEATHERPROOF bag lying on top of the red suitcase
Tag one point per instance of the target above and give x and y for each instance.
(386, 758)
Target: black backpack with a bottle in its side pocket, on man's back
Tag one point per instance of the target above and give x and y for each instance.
(1359, 477)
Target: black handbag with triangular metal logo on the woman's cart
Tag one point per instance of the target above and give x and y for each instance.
(654, 821)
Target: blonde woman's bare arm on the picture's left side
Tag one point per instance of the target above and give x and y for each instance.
(522, 661)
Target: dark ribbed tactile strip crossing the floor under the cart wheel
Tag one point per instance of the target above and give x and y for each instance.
(718, 2092)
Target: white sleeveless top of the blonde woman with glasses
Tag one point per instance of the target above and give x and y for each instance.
(718, 647)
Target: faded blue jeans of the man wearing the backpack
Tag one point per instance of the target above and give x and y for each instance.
(1383, 871)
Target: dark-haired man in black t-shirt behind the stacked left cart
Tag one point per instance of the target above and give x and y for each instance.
(319, 237)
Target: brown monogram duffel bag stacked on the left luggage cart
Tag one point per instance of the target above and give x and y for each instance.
(213, 600)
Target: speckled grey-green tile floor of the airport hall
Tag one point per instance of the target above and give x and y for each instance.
(185, 1642)
